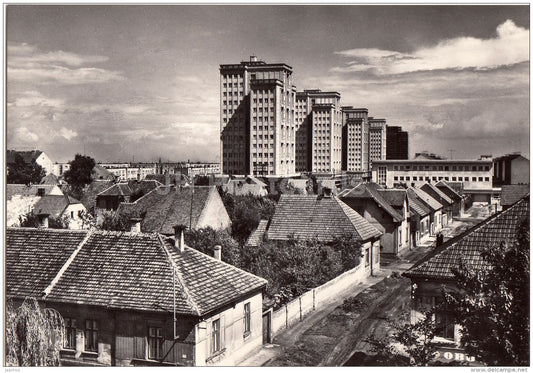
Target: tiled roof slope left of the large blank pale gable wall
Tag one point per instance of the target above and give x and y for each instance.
(164, 208)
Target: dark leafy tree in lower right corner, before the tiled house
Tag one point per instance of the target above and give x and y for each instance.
(492, 303)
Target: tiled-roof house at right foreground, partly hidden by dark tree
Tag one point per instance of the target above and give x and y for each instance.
(435, 271)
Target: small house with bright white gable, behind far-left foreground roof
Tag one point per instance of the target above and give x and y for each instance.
(62, 207)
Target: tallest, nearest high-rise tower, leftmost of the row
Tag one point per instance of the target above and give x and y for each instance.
(257, 118)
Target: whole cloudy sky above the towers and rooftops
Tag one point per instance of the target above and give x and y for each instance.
(143, 81)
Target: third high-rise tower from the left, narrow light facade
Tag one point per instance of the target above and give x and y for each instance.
(355, 139)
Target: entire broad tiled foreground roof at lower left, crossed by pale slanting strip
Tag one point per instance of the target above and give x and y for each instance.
(132, 271)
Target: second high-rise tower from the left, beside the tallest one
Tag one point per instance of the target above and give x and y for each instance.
(318, 131)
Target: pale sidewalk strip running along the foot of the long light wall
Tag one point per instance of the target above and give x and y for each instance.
(289, 336)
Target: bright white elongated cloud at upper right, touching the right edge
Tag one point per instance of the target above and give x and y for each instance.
(509, 46)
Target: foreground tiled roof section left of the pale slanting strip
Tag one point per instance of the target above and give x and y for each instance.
(34, 256)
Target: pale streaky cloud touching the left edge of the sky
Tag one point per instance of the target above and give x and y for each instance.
(25, 63)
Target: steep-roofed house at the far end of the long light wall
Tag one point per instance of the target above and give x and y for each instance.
(370, 203)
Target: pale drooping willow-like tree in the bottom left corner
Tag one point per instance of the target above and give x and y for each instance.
(34, 335)
